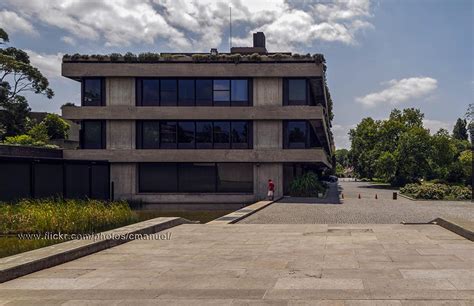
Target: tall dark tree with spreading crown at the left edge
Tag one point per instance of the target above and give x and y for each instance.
(17, 76)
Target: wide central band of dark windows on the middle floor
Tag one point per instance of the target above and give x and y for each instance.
(194, 134)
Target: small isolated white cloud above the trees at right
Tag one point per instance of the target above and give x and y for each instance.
(399, 91)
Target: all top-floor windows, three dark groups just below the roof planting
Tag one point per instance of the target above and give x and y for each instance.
(204, 92)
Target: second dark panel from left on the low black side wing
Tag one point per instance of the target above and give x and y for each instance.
(48, 180)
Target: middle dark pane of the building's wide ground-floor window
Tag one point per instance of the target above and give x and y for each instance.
(197, 177)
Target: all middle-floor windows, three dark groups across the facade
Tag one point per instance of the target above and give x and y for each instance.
(199, 135)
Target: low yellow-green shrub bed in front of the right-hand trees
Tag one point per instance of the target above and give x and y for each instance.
(429, 191)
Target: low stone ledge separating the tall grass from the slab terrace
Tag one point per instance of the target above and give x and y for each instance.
(28, 262)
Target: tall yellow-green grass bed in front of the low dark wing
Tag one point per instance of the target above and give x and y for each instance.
(65, 216)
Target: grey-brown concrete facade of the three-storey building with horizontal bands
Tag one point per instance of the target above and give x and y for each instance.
(266, 115)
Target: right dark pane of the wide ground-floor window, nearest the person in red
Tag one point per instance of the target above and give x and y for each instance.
(235, 177)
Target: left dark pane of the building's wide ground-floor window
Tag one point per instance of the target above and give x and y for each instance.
(158, 177)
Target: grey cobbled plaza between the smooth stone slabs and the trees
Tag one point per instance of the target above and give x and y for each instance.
(367, 210)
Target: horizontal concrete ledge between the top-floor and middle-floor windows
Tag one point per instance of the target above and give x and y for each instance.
(193, 113)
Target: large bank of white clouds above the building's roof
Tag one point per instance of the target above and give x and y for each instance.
(200, 25)
